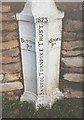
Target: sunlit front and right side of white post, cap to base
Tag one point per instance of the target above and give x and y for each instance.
(48, 25)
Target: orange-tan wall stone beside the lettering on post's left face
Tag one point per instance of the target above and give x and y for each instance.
(9, 45)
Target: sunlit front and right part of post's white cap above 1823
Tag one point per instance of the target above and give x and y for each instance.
(45, 8)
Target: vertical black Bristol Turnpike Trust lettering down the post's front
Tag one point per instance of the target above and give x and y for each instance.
(41, 60)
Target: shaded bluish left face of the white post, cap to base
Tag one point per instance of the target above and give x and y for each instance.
(28, 53)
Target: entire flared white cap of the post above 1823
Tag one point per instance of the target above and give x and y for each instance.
(40, 8)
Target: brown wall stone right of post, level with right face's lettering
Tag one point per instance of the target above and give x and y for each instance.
(71, 45)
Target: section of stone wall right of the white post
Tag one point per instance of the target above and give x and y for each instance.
(72, 50)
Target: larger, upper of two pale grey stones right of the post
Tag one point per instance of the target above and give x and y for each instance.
(73, 61)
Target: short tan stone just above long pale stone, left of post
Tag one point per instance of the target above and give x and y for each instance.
(12, 77)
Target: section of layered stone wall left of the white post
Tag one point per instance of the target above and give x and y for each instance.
(11, 74)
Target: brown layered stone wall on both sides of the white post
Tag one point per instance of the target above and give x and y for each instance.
(71, 54)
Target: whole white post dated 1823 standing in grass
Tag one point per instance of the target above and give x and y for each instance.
(40, 29)
